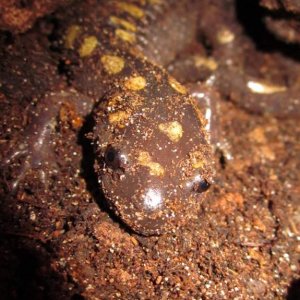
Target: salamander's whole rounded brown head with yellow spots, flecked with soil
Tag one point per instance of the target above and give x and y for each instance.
(153, 160)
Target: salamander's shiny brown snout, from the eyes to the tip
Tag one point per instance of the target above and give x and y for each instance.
(150, 192)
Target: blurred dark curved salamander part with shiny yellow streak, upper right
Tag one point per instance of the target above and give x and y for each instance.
(256, 81)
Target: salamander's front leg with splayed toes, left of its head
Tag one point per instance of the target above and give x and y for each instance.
(33, 148)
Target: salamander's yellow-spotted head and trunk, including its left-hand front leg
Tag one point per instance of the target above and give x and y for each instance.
(153, 160)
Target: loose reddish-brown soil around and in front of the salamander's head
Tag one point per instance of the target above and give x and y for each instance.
(60, 241)
